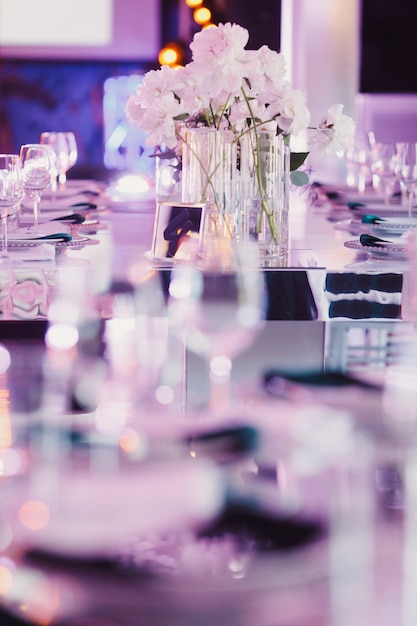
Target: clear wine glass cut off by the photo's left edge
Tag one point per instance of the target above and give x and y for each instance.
(11, 191)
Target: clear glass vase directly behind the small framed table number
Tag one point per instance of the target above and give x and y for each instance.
(209, 175)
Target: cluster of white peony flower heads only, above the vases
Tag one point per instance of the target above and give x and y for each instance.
(230, 88)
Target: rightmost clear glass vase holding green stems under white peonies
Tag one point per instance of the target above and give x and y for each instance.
(264, 194)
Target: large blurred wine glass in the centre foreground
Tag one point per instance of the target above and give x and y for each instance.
(220, 308)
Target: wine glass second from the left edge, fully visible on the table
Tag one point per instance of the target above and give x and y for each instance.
(38, 166)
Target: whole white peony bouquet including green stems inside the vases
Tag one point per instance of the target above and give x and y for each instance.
(241, 94)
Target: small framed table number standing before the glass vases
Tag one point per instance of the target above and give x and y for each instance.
(177, 230)
